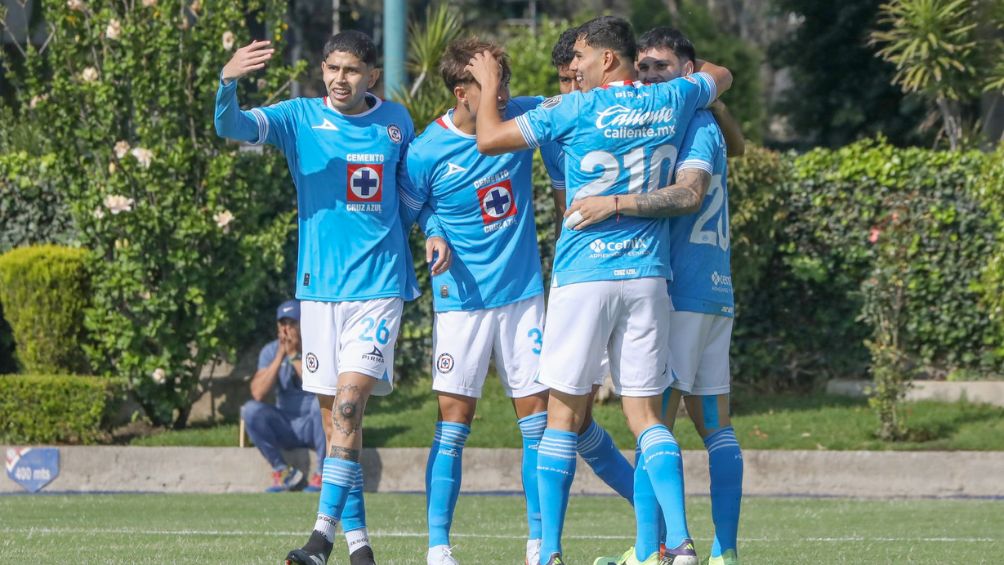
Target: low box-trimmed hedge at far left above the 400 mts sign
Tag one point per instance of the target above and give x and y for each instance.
(37, 409)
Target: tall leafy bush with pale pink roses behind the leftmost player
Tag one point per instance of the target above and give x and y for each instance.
(186, 231)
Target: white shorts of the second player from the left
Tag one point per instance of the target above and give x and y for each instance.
(463, 342)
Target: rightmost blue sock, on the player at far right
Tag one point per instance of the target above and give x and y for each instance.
(725, 461)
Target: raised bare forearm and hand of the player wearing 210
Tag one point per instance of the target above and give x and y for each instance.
(494, 136)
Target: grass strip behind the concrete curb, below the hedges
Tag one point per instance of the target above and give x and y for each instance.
(811, 422)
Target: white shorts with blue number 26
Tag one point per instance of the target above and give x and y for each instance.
(355, 337)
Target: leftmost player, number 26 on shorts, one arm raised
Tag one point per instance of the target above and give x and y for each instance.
(345, 154)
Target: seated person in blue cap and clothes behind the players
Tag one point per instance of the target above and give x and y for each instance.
(295, 421)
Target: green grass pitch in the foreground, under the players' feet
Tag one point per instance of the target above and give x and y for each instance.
(247, 529)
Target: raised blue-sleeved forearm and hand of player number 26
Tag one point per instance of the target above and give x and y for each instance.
(229, 120)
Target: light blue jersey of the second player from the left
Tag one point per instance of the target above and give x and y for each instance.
(484, 207)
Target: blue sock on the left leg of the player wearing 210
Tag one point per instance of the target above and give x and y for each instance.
(556, 471)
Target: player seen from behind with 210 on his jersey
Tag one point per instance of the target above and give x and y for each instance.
(610, 282)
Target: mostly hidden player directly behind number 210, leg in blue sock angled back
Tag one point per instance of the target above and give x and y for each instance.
(595, 446)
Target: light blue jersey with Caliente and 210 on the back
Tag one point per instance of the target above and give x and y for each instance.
(618, 140)
